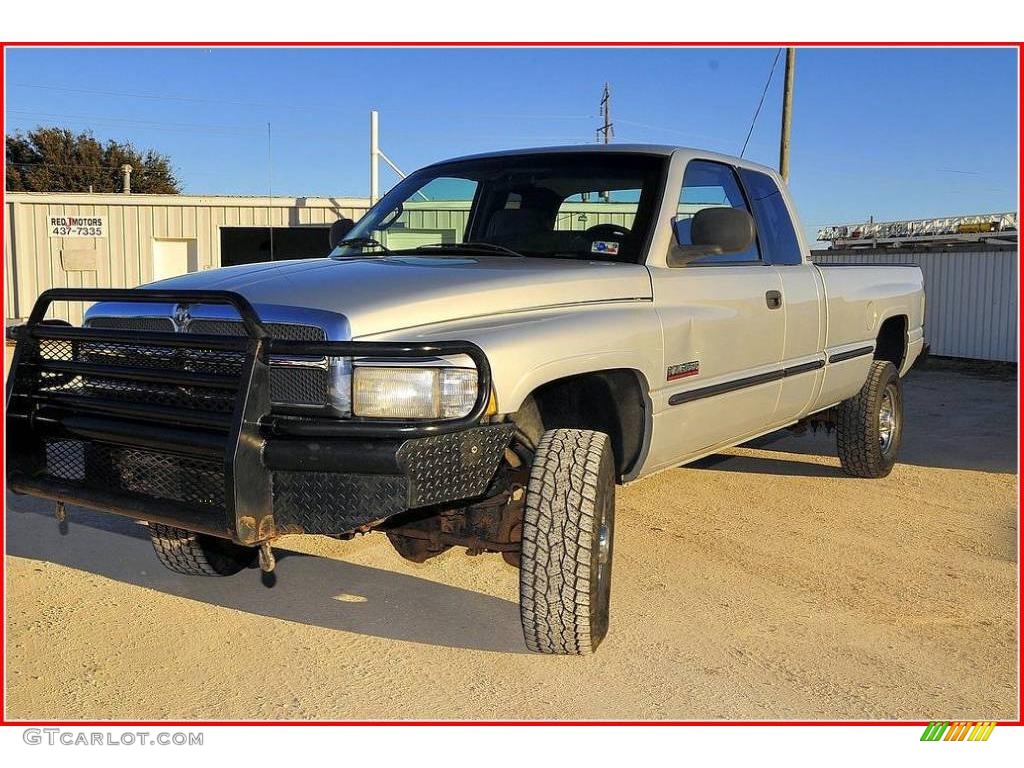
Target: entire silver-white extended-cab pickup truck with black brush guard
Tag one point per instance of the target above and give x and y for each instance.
(479, 363)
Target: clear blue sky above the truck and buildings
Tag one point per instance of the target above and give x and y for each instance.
(898, 134)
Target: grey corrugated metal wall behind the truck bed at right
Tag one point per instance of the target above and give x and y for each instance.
(971, 308)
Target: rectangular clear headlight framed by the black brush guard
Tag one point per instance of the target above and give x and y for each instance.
(413, 393)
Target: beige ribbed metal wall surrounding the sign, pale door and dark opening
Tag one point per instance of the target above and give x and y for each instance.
(35, 262)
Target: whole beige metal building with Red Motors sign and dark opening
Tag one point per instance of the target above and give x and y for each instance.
(122, 241)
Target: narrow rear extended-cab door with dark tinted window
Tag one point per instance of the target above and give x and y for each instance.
(803, 294)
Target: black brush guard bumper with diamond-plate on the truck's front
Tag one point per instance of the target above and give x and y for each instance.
(179, 429)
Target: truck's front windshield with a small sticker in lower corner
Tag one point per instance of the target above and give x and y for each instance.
(595, 206)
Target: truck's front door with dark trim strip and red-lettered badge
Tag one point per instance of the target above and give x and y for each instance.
(723, 330)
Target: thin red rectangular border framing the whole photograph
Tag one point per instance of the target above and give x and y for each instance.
(521, 45)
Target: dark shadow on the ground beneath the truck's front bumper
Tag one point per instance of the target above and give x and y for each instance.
(315, 591)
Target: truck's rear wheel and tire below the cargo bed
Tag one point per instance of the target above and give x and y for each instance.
(870, 425)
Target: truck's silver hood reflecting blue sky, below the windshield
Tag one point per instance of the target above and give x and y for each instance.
(392, 293)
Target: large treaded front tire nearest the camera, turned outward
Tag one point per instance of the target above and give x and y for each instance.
(568, 532)
